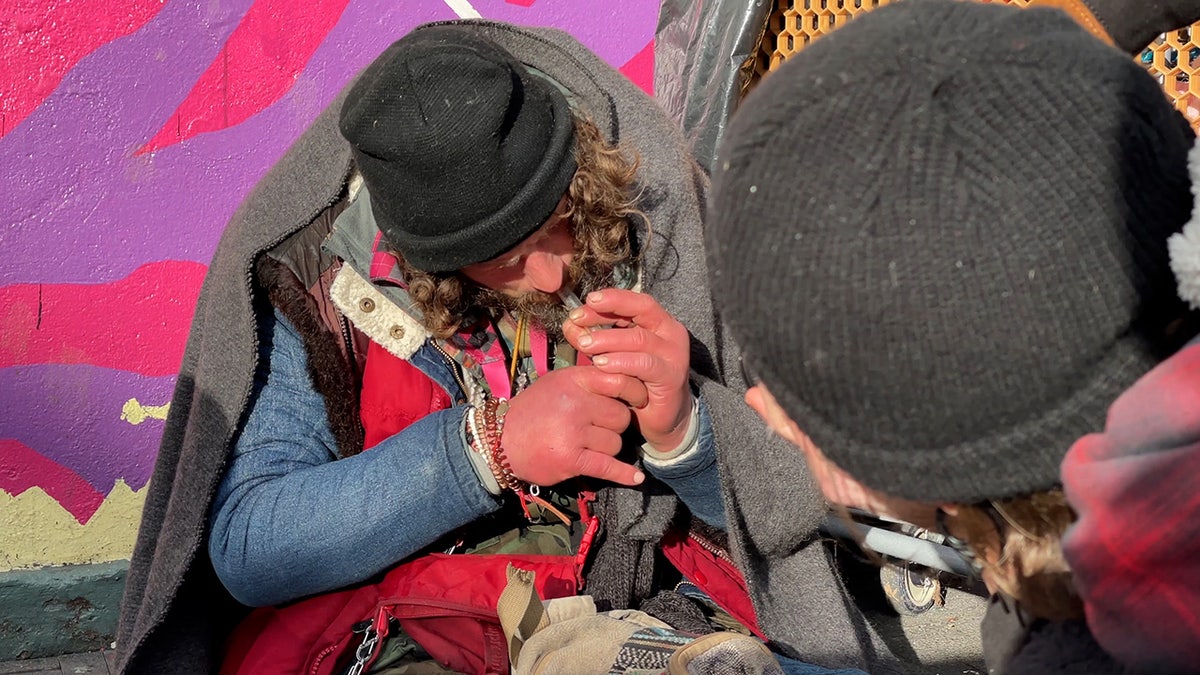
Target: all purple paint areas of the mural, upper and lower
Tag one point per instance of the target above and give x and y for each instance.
(85, 210)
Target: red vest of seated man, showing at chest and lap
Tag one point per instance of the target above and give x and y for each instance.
(447, 604)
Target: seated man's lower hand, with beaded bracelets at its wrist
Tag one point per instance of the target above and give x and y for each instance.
(568, 423)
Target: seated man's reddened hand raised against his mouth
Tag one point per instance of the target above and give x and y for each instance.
(645, 343)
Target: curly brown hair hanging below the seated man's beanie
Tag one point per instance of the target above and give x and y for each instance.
(601, 205)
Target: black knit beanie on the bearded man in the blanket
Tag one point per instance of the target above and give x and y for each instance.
(465, 152)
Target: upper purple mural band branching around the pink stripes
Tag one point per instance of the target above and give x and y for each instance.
(111, 212)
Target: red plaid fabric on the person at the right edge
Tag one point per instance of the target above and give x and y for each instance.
(1136, 548)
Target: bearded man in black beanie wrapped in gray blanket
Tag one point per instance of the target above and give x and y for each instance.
(383, 367)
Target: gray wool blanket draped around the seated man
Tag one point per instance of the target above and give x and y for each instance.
(176, 614)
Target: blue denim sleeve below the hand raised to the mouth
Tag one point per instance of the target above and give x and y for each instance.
(695, 477)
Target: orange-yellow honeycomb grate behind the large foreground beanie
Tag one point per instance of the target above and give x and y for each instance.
(1173, 59)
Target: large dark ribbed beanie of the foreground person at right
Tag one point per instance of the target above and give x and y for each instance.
(940, 235)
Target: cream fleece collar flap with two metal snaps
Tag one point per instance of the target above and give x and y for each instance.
(376, 316)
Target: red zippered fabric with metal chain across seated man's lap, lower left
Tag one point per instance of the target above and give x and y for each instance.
(445, 602)
